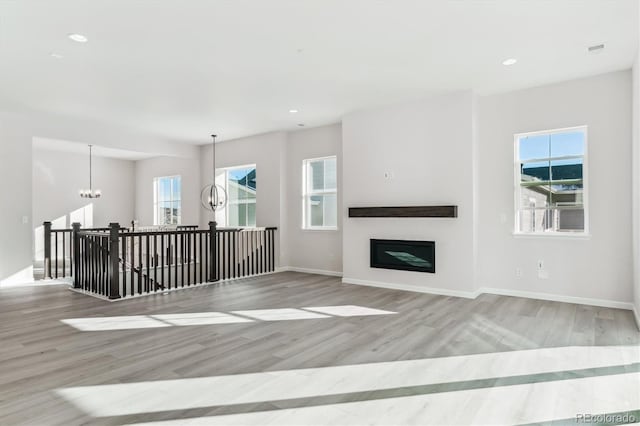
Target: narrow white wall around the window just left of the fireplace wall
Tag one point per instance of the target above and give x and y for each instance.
(311, 250)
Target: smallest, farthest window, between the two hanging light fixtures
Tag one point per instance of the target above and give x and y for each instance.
(167, 204)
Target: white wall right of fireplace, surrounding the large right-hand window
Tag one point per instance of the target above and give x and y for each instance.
(597, 268)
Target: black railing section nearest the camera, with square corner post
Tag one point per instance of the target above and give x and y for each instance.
(117, 263)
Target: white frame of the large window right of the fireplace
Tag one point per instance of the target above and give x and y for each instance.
(585, 233)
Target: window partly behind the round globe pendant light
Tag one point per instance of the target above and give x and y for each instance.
(240, 184)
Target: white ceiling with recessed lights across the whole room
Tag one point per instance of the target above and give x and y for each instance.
(180, 69)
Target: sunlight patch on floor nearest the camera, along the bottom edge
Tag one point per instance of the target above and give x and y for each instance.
(530, 403)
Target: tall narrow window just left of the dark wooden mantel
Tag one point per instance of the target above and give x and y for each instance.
(320, 193)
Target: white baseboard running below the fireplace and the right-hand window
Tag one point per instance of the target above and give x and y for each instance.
(498, 291)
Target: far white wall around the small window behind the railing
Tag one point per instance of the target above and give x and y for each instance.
(147, 170)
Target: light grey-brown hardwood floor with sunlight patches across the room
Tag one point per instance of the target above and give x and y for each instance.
(431, 359)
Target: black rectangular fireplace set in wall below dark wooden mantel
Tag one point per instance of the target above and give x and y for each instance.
(404, 255)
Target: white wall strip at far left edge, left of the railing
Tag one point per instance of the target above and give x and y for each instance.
(15, 173)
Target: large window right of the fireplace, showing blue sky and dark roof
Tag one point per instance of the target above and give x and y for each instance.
(551, 182)
